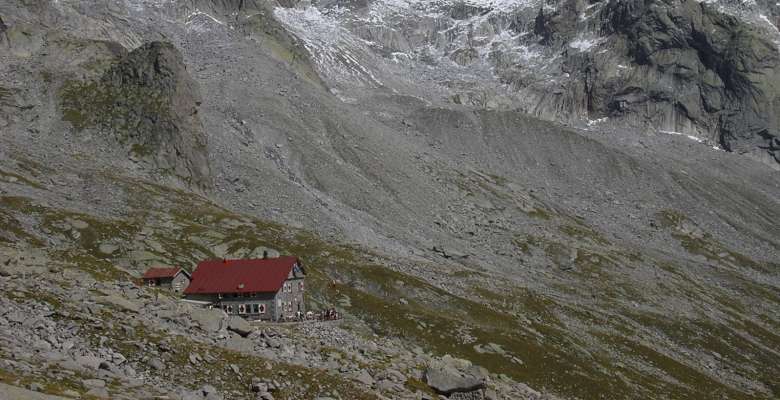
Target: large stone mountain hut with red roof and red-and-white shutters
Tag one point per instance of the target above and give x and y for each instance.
(256, 289)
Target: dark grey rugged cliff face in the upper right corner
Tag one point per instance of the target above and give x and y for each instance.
(716, 73)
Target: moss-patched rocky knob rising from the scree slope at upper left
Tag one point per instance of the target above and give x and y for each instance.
(149, 103)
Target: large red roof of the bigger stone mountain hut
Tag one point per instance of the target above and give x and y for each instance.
(241, 276)
